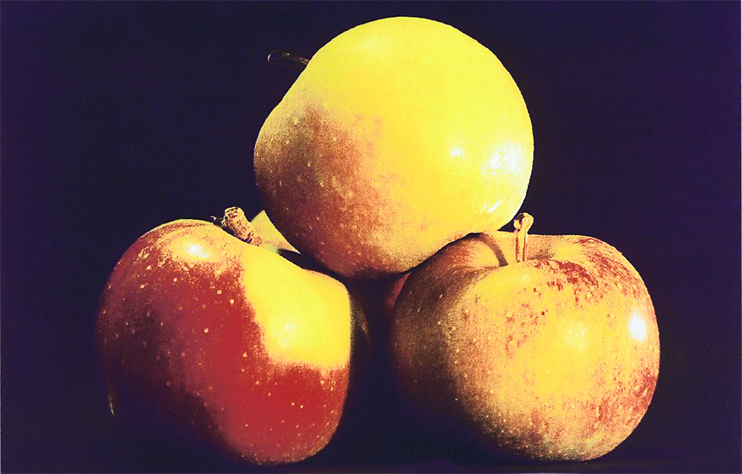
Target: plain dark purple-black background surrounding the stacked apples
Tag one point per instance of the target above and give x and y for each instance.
(118, 117)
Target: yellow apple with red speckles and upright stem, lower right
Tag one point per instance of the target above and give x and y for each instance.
(553, 358)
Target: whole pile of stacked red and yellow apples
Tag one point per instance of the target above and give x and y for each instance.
(396, 157)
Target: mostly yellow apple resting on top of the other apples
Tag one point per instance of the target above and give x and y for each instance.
(400, 136)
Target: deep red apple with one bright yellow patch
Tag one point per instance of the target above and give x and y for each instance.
(219, 341)
